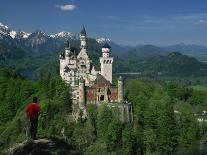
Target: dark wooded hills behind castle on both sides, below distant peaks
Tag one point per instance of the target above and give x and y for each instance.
(156, 61)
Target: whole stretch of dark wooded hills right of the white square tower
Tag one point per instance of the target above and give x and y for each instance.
(172, 64)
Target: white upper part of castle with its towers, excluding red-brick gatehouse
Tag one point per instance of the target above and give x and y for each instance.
(73, 67)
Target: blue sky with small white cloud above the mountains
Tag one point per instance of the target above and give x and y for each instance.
(127, 22)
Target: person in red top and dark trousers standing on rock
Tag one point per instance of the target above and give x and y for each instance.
(33, 111)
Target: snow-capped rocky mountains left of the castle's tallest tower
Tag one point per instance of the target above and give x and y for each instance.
(37, 42)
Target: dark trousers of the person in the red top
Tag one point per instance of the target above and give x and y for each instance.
(33, 126)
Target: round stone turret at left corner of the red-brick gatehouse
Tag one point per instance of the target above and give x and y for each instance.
(82, 98)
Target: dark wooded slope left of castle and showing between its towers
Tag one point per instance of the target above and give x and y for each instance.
(35, 66)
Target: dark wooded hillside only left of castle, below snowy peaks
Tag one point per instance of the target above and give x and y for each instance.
(28, 65)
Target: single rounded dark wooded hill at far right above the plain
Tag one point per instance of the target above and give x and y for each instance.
(176, 64)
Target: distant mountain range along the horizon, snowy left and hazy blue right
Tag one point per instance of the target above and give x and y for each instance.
(40, 43)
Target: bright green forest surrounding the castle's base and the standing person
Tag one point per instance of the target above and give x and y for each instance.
(168, 117)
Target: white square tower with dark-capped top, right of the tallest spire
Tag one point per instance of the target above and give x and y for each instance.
(106, 63)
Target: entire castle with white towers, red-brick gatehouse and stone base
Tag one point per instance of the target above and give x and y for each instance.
(90, 86)
